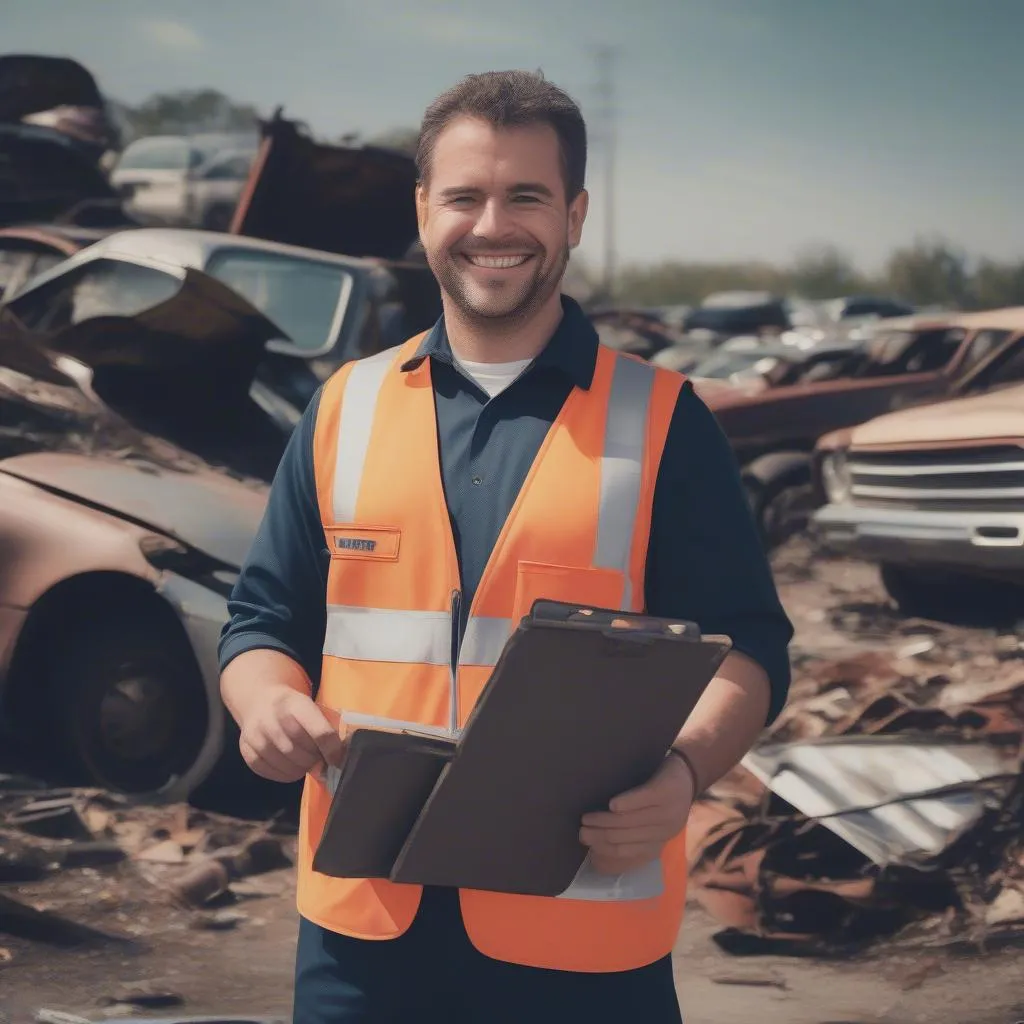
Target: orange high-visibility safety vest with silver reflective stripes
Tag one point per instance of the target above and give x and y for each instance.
(579, 532)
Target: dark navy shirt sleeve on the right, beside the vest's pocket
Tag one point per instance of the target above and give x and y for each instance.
(706, 563)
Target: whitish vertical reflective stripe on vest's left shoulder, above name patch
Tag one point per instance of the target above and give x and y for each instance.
(358, 407)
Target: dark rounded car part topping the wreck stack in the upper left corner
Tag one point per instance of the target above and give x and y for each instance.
(31, 83)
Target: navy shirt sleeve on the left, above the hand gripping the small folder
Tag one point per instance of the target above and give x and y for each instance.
(280, 600)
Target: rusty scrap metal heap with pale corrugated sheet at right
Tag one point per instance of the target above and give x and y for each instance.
(887, 800)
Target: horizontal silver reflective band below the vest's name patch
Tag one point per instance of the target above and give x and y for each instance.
(387, 635)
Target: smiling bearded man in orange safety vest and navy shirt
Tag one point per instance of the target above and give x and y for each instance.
(436, 489)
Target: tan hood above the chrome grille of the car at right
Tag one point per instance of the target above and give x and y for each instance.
(997, 414)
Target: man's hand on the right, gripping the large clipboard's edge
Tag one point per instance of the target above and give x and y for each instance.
(638, 825)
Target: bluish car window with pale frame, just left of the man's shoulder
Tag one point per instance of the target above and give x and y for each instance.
(303, 296)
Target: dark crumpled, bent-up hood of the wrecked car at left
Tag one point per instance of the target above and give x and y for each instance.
(182, 371)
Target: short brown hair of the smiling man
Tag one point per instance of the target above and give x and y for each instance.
(510, 100)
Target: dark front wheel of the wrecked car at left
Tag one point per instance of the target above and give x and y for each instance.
(131, 704)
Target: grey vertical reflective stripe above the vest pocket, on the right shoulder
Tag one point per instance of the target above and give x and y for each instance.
(622, 466)
